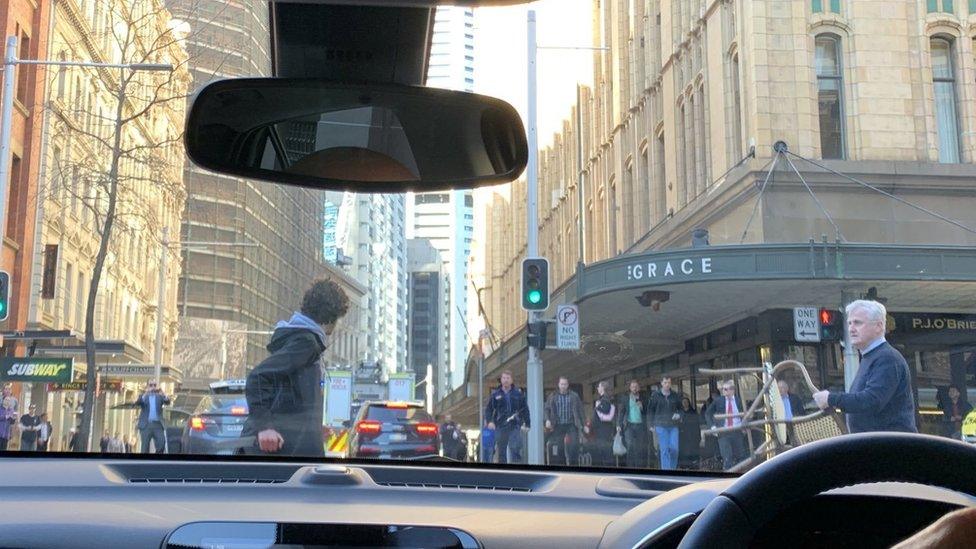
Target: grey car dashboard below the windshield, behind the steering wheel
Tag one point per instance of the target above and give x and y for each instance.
(105, 502)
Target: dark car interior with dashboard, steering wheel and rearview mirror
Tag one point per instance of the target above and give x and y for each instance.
(362, 62)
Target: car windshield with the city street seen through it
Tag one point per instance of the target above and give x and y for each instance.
(745, 227)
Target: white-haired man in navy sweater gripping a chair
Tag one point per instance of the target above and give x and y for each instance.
(880, 398)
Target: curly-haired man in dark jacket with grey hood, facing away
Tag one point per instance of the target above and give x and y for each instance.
(284, 392)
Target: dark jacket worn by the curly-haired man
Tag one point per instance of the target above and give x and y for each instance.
(284, 392)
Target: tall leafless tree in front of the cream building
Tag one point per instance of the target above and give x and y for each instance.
(122, 168)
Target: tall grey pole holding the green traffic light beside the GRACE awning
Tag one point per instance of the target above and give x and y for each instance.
(534, 364)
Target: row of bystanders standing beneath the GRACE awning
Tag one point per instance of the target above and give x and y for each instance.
(660, 428)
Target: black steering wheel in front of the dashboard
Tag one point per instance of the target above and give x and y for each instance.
(734, 517)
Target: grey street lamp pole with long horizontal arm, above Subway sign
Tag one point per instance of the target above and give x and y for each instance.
(9, 63)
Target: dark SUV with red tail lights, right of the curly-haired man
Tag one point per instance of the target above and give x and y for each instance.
(391, 430)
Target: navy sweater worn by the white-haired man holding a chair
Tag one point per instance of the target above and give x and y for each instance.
(880, 398)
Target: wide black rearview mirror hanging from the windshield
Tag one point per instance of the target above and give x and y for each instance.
(364, 138)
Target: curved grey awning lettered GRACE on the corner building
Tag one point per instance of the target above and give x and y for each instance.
(702, 289)
